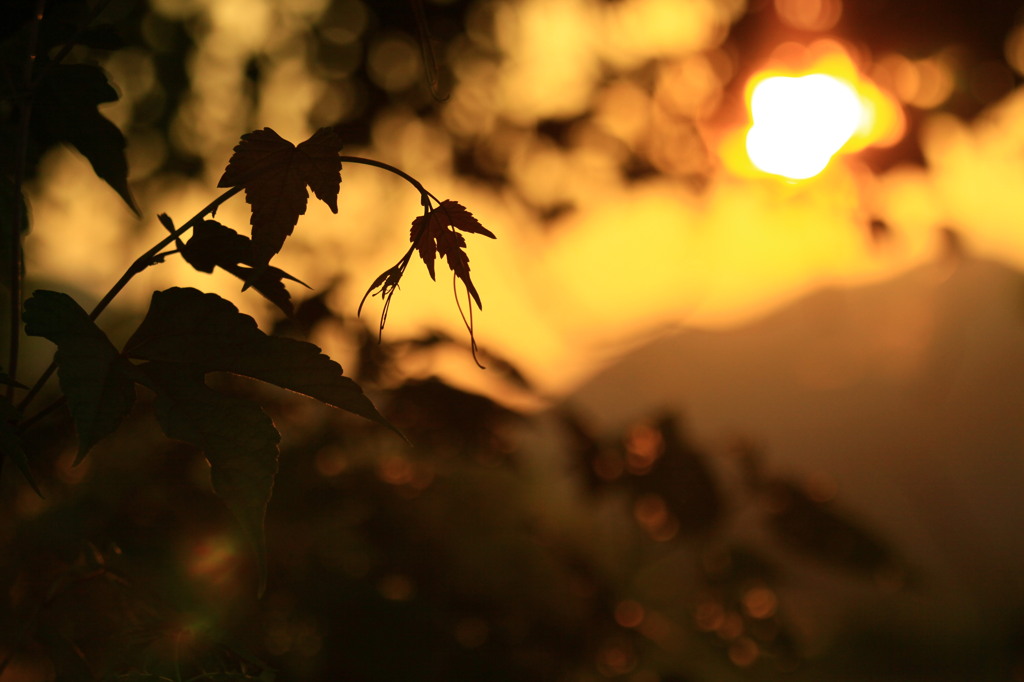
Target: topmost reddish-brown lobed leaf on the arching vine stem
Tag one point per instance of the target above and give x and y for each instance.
(275, 175)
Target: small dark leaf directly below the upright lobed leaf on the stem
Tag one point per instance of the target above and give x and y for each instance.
(214, 245)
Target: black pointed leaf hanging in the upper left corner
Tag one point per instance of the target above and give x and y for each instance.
(65, 111)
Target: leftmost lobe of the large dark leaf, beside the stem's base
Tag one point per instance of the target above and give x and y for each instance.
(94, 376)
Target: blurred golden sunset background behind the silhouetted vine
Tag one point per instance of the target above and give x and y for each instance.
(753, 324)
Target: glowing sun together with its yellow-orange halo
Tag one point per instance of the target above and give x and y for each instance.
(808, 106)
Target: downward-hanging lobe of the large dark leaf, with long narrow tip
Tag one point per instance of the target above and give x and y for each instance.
(236, 436)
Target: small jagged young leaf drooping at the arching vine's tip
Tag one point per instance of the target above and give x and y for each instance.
(436, 234)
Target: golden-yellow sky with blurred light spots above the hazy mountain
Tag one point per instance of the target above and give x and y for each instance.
(632, 257)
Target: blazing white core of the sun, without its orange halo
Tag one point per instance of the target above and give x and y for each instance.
(799, 124)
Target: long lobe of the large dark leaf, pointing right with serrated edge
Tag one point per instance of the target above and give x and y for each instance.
(189, 327)
